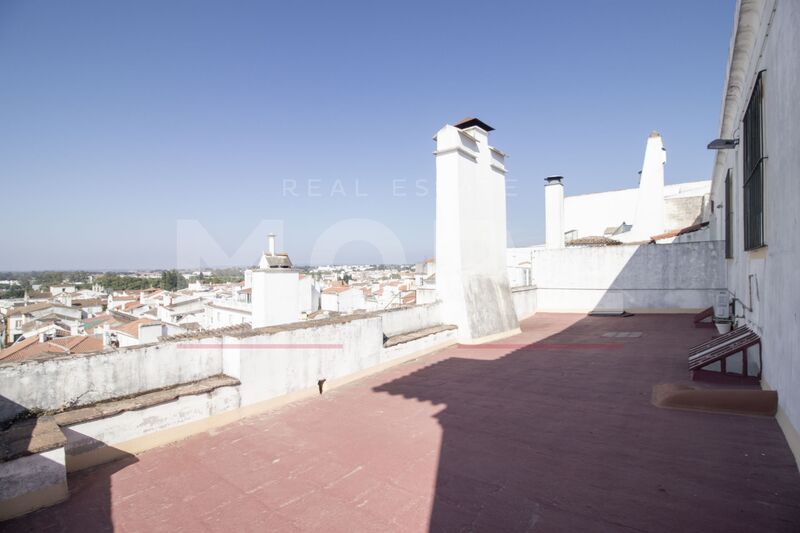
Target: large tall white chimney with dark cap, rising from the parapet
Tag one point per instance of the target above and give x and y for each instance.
(471, 277)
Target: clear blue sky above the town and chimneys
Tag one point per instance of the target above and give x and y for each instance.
(118, 120)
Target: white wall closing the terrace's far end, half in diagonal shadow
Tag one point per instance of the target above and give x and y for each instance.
(642, 278)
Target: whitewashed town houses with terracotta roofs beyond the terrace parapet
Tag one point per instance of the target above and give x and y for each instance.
(274, 293)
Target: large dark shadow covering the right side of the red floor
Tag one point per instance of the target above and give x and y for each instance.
(557, 433)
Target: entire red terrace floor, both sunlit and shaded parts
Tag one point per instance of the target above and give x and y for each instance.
(558, 436)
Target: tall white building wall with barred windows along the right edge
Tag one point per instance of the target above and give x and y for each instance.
(765, 282)
